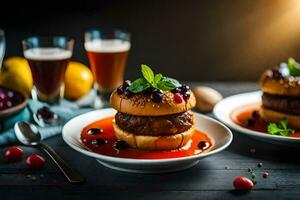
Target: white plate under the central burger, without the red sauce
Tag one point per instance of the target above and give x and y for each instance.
(220, 135)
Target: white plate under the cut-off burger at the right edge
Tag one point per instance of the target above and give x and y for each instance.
(224, 108)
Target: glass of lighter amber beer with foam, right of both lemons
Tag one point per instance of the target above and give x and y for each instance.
(107, 52)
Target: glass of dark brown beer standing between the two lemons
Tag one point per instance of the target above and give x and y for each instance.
(48, 58)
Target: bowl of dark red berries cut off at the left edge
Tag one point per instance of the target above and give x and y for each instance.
(11, 102)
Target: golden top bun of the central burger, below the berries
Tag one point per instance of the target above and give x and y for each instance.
(141, 104)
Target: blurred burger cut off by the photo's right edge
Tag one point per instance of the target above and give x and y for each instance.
(281, 94)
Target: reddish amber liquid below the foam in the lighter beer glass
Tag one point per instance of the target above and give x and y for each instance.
(108, 68)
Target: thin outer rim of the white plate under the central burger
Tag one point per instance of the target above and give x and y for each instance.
(142, 161)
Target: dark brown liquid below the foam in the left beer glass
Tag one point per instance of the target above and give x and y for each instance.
(48, 76)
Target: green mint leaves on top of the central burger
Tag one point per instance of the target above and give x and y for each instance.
(155, 82)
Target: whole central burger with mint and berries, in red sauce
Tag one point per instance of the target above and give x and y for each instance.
(154, 112)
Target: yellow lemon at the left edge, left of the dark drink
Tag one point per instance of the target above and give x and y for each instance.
(16, 75)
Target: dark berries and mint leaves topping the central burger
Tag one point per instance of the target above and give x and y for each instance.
(153, 85)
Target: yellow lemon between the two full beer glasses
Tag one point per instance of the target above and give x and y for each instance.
(78, 80)
